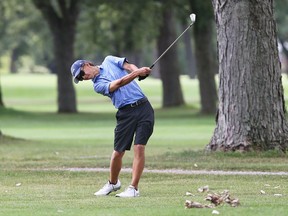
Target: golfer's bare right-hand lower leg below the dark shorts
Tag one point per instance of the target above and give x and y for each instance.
(138, 164)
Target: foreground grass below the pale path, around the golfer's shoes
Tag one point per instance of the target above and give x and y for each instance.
(71, 193)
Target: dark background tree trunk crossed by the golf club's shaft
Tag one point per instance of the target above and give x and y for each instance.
(169, 64)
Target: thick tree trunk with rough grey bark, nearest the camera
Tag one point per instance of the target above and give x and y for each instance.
(251, 104)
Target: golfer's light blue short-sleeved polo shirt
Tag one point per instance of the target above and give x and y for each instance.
(112, 69)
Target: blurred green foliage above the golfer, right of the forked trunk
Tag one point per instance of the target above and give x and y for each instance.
(113, 27)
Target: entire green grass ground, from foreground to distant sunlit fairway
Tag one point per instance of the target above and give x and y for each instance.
(40, 144)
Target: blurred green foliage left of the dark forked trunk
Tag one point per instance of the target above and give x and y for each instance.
(22, 30)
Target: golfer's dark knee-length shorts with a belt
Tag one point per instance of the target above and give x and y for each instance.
(135, 121)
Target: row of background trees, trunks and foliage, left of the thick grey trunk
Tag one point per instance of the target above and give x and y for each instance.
(55, 33)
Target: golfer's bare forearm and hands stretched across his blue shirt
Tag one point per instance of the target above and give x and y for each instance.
(114, 85)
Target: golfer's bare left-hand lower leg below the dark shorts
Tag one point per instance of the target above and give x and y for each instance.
(115, 166)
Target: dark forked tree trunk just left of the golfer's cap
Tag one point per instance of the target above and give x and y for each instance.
(62, 23)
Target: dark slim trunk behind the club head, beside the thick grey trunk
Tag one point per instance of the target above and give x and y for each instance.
(206, 67)
